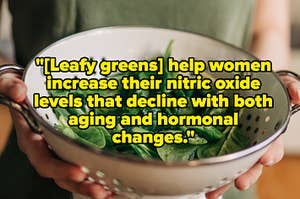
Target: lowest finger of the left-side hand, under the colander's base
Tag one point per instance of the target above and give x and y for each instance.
(85, 188)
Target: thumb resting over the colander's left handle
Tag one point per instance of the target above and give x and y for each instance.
(12, 87)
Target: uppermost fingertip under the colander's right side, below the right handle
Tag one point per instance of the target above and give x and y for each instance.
(274, 154)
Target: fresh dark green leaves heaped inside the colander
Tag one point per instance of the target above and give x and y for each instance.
(209, 141)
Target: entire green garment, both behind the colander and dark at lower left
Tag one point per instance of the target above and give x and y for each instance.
(36, 24)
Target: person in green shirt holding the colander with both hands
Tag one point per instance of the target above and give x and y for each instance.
(36, 24)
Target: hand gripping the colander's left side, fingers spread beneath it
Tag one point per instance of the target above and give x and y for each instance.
(67, 176)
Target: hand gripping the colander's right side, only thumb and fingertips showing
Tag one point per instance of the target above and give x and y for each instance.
(271, 157)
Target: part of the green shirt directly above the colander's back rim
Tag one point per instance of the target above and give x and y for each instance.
(37, 23)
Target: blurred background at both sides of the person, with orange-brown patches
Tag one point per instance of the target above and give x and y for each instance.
(280, 181)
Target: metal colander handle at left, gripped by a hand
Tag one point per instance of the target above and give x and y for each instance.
(21, 108)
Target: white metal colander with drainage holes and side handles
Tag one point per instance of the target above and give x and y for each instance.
(129, 176)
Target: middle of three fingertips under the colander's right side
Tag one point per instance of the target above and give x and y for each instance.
(249, 178)
